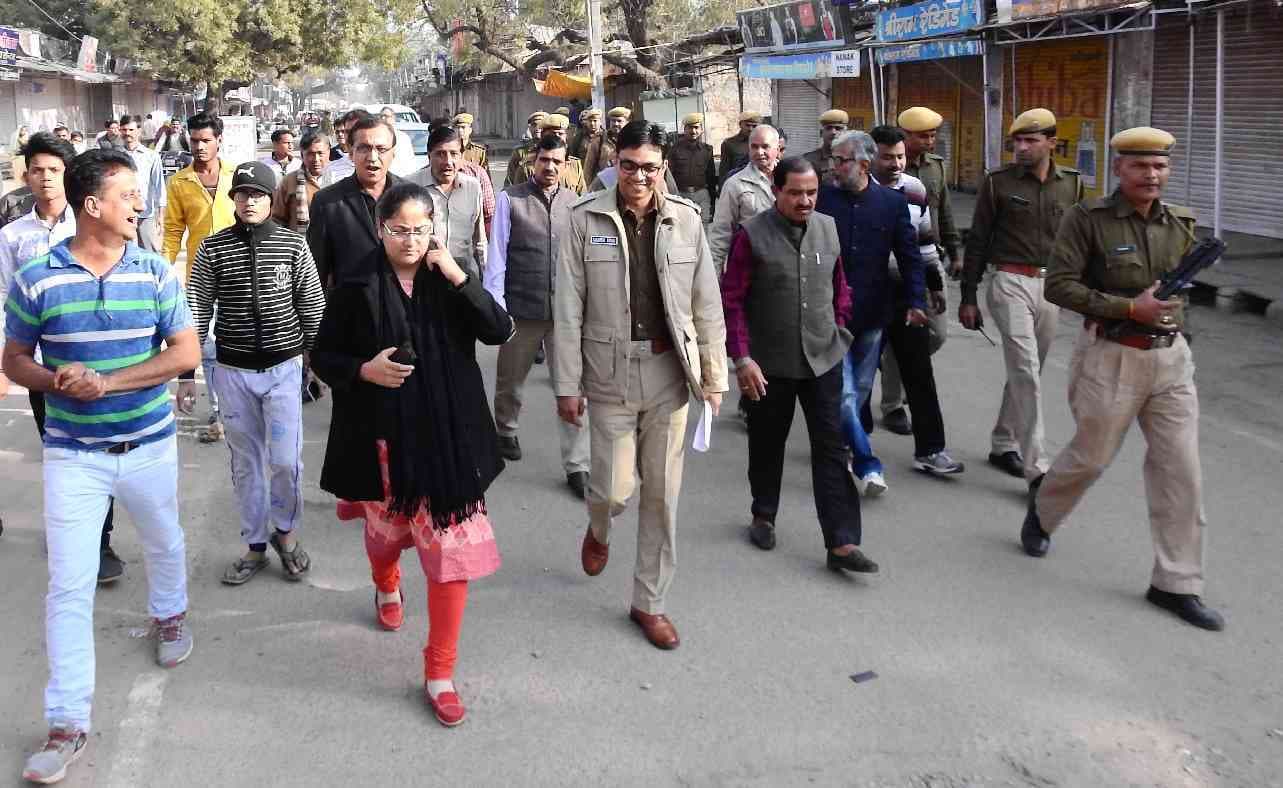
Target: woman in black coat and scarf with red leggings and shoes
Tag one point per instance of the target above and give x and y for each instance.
(412, 443)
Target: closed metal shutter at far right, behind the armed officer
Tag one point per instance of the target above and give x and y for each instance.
(1253, 169)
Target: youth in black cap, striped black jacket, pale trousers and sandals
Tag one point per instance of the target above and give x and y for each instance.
(270, 304)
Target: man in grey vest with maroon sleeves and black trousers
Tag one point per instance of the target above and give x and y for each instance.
(787, 305)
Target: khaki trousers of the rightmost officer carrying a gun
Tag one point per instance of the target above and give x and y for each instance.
(1113, 386)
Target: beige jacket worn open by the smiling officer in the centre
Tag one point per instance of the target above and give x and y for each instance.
(591, 307)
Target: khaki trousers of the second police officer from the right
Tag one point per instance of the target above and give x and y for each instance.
(1027, 323)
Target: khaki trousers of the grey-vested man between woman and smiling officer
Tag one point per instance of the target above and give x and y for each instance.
(516, 357)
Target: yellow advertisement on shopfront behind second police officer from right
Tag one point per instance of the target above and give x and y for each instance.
(1071, 79)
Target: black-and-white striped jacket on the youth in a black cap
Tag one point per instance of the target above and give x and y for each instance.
(269, 293)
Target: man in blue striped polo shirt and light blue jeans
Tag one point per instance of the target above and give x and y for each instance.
(115, 328)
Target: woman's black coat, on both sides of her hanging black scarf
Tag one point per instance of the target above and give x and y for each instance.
(350, 338)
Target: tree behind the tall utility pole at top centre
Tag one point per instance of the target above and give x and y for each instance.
(510, 35)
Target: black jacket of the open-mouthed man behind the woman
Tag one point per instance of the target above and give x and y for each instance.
(343, 230)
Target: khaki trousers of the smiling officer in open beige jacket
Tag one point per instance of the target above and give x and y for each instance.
(642, 437)
